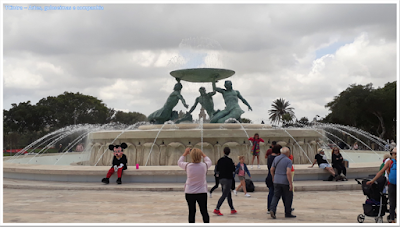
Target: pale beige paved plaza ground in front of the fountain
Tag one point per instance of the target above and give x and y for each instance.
(100, 206)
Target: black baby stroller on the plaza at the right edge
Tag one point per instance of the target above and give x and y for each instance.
(377, 201)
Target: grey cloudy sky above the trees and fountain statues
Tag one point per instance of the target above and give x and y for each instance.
(305, 53)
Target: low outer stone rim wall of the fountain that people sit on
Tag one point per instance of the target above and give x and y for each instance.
(159, 174)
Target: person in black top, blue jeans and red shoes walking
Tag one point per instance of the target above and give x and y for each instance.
(226, 169)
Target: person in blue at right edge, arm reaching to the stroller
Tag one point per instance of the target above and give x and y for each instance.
(391, 166)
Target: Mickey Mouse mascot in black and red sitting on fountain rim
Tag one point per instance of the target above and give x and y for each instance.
(119, 163)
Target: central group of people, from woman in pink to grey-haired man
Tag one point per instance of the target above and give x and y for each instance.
(279, 179)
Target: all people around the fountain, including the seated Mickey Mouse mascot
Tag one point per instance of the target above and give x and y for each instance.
(279, 179)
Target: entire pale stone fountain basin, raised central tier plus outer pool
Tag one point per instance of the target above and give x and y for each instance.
(163, 152)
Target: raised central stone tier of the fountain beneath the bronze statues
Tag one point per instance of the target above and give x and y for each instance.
(167, 145)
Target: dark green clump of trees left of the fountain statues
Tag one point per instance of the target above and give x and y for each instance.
(24, 123)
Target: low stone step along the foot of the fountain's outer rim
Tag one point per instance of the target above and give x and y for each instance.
(259, 186)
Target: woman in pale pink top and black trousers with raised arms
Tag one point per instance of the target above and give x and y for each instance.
(196, 183)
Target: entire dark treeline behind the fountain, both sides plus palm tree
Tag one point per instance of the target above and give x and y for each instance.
(361, 106)
